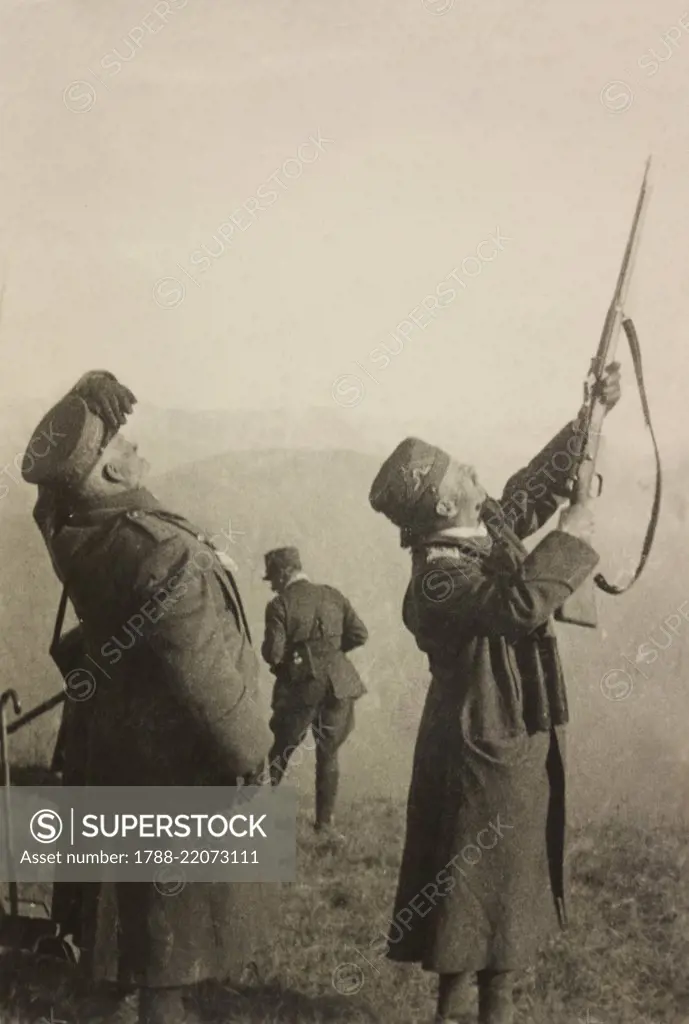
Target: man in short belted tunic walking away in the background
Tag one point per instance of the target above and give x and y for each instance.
(309, 630)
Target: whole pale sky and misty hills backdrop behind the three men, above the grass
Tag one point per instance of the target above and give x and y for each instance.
(236, 207)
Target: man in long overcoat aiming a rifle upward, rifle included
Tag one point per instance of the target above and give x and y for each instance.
(489, 769)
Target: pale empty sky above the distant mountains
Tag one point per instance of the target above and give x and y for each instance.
(440, 129)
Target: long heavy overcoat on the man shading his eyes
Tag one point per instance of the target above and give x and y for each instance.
(176, 704)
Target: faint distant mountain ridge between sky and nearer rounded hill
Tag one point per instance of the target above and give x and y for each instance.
(176, 438)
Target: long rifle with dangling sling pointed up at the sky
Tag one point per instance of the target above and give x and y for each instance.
(580, 609)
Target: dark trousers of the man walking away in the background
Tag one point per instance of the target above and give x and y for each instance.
(331, 721)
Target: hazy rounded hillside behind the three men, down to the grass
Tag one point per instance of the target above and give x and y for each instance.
(630, 749)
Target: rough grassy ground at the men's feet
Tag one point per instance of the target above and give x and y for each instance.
(625, 959)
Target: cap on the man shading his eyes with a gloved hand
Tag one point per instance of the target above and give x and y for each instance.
(66, 445)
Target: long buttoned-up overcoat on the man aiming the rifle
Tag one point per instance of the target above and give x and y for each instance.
(482, 880)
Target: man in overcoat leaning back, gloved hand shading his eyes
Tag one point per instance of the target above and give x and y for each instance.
(179, 701)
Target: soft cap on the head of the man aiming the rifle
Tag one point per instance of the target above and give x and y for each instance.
(406, 489)
